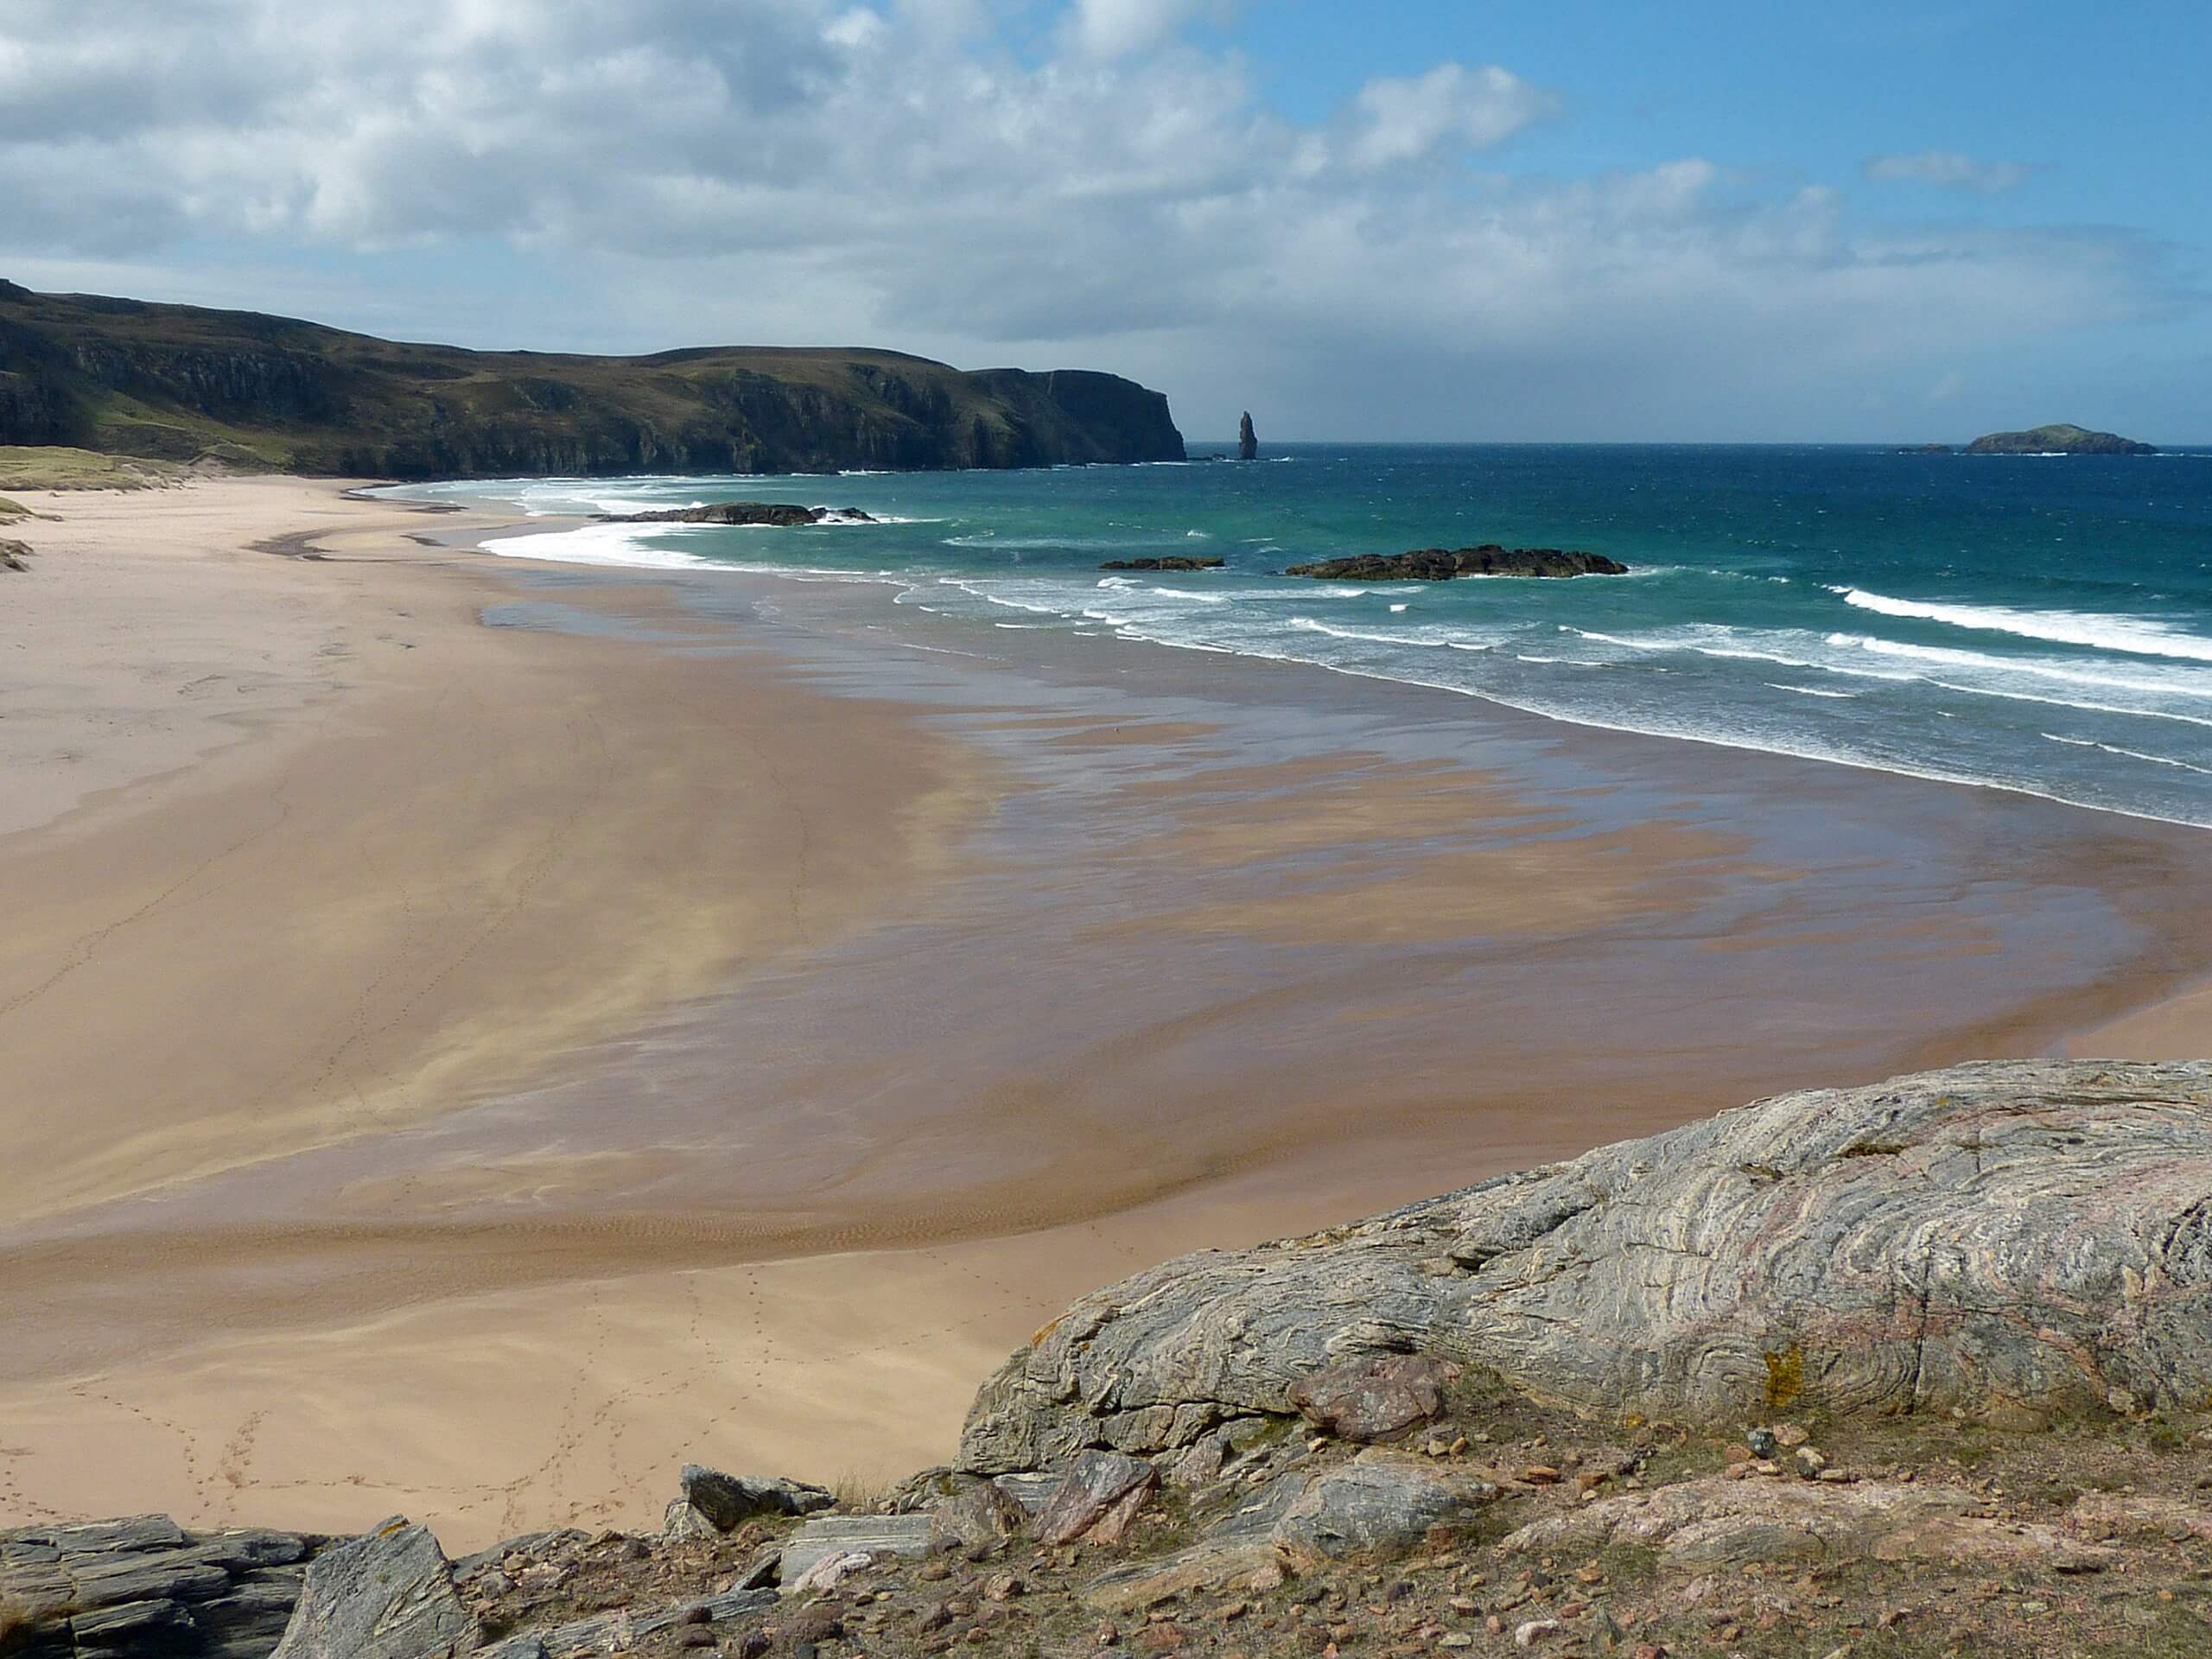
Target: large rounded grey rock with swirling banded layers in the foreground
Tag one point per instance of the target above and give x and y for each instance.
(2010, 1242)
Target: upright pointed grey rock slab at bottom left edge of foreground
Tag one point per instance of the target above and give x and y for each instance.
(382, 1596)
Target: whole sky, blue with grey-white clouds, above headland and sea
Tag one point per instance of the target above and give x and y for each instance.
(1437, 220)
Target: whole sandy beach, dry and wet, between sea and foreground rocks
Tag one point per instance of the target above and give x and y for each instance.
(472, 1070)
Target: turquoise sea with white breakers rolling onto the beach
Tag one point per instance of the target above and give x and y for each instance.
(2038, 625)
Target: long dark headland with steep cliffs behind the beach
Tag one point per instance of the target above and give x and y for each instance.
(275, 395)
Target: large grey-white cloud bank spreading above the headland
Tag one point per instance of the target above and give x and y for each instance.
(988, 182)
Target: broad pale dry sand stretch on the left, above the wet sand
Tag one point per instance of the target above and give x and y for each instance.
(455, 853)
